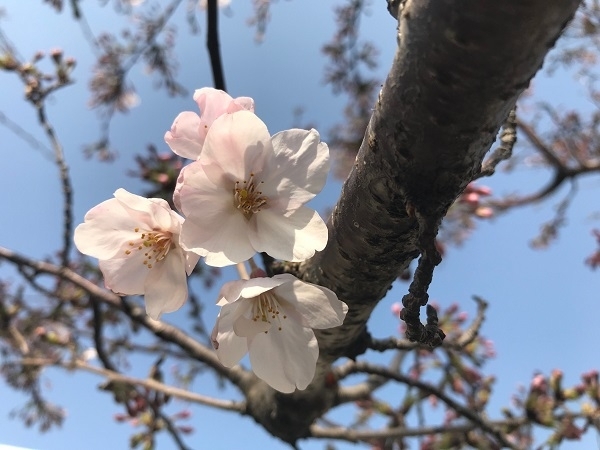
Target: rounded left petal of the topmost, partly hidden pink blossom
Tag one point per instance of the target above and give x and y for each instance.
(185, 138)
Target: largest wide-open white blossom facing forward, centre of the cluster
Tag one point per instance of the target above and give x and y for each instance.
(247, 192)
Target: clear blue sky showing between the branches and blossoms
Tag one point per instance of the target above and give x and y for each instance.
(543, 304)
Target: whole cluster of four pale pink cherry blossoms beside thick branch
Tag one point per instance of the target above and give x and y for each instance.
(244, 192)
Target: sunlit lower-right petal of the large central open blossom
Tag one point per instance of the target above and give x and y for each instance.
(295, 237)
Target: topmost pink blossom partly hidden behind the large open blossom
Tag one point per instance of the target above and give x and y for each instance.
(189, 130)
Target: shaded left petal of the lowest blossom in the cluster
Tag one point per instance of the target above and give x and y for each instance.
(230, 348)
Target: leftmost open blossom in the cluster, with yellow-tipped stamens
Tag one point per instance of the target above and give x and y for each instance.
(137, 242)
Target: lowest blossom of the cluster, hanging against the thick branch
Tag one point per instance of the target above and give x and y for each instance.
(273, 320)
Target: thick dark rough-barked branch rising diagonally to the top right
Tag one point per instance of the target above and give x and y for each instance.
(458, 70)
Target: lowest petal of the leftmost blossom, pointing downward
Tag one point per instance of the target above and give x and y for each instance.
(165, 289)
